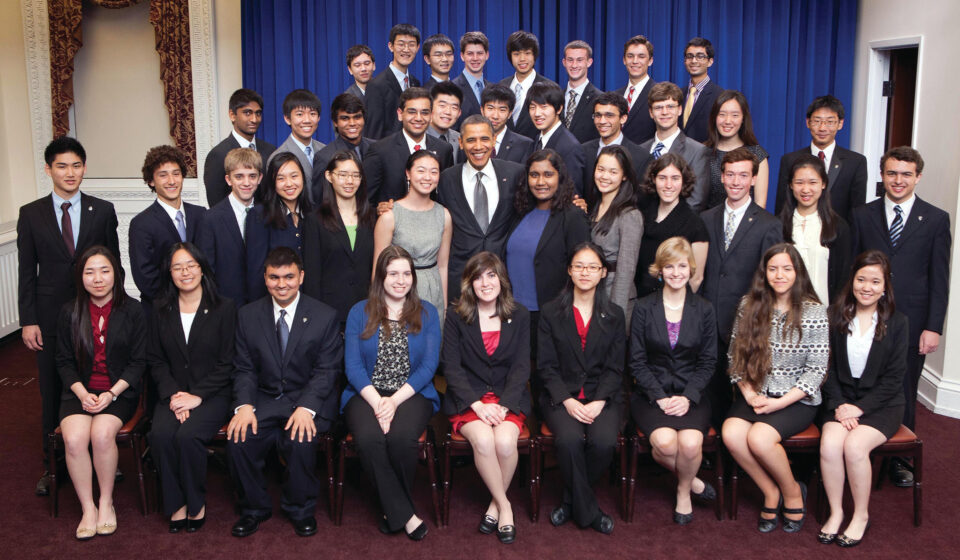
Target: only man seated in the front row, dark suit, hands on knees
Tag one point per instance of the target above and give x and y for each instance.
(289, 355)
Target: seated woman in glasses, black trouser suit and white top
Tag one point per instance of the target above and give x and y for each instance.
(191, 360)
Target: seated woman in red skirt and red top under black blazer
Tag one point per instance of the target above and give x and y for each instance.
(486, 350)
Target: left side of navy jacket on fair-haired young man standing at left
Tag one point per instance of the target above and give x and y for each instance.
(220, 240)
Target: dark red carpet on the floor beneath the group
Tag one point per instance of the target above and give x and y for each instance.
(27, 530)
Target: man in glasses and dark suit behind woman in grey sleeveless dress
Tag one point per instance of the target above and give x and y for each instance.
(386, 162)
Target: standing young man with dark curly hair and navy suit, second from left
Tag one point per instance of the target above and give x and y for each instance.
(168, 220)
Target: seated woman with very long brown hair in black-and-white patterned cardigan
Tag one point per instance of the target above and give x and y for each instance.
(778, 358)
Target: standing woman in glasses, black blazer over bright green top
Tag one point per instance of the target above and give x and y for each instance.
(338, 243)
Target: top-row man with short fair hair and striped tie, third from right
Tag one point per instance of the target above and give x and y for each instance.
(580, 93)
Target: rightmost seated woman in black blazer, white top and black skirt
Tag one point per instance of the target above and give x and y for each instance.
(863, 394)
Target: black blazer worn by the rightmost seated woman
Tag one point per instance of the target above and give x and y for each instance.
(881, 384)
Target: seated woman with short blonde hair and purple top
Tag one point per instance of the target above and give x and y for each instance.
(673, 353)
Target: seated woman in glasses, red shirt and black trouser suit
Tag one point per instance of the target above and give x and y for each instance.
(582, 344)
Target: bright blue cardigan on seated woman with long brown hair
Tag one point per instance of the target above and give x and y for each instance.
(360, 355)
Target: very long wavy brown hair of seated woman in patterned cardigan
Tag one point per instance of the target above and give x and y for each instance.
(750, 350)
